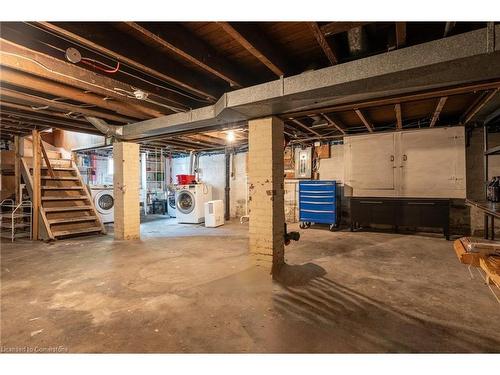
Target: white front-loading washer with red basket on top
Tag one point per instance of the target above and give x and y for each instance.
(190, 202)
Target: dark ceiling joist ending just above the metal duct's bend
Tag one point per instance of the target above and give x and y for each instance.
(176, 39)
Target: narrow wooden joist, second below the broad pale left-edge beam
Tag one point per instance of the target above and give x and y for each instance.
(61, 106)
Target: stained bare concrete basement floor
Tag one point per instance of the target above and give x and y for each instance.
(186, 288)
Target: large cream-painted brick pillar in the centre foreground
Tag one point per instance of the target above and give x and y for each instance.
(266, 192)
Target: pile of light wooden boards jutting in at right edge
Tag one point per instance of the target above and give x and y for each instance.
(484, 254)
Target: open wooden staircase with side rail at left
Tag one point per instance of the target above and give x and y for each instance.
(66, 206)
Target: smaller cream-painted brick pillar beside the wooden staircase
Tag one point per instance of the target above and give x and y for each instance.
(126, 182)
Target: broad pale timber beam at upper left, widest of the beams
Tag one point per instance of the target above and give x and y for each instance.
(41, 65)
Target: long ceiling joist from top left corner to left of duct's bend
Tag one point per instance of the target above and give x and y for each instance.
(165, 71)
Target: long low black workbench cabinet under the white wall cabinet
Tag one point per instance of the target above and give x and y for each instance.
(410, 212)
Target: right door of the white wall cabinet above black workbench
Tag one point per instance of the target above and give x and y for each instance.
(432, 163)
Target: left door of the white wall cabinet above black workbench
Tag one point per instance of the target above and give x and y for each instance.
(370, 164)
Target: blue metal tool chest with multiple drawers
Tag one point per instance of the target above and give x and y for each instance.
(318, 202)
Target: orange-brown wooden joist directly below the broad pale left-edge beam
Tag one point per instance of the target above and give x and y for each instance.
(42, 85)
